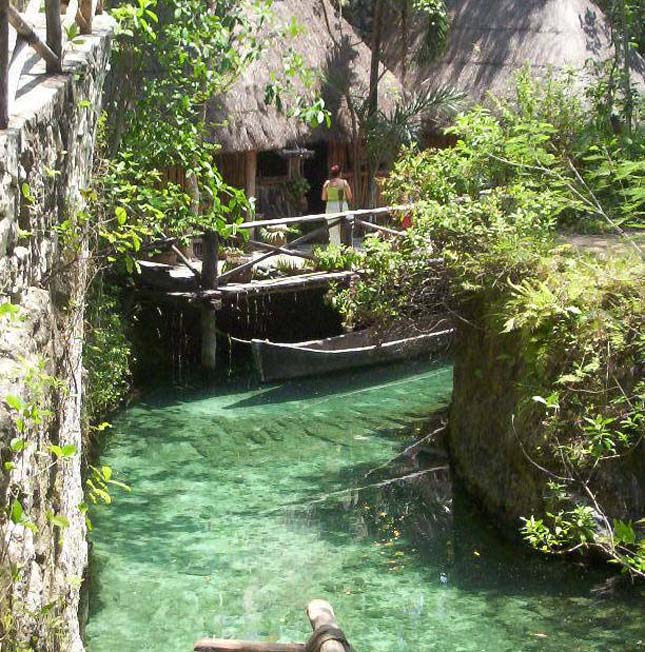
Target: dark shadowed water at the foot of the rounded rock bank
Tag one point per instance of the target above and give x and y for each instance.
(433, 519)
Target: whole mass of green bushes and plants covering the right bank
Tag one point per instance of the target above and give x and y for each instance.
(495, 207)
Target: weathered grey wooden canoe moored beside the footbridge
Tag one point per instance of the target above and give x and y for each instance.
(276, 361)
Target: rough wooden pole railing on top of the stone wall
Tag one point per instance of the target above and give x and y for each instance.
(17, 33)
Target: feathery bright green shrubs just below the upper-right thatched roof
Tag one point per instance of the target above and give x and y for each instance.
(545, 141)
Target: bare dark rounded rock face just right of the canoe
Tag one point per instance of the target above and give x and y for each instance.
(483, 433)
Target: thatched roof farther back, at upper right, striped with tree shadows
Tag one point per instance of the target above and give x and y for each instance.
(491, 40)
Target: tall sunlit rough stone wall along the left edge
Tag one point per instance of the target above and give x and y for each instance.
(45, 163)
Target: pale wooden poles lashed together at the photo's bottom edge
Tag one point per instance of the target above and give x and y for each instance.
(326, 636)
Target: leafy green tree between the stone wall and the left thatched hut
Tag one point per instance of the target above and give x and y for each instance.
(170, 59)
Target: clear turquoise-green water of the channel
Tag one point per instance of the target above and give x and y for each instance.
(227, 531)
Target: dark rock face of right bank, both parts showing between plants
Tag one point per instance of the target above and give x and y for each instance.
(494, 378)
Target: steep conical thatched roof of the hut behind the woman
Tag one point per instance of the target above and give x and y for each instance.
(242, 118)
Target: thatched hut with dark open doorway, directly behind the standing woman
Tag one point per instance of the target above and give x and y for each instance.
(268, 152)
